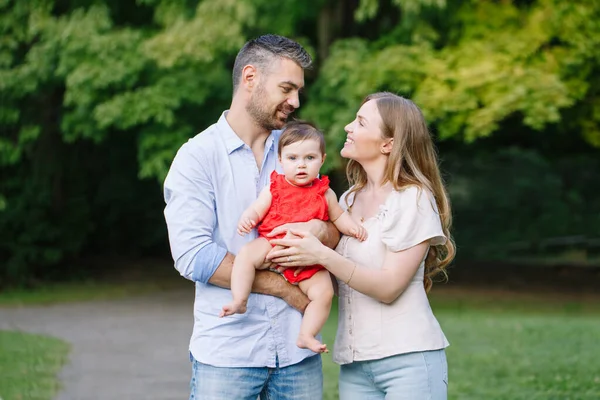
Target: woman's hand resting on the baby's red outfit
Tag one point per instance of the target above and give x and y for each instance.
(300, 252)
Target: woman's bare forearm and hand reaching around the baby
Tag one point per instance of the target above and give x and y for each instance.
(385, 284)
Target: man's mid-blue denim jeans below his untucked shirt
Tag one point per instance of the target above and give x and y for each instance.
(302, 381)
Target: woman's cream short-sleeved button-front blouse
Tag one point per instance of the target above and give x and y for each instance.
(367, 328)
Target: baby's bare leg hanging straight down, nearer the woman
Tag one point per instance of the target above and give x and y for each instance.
(319, 290)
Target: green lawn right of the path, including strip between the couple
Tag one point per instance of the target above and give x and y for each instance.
(511, 347)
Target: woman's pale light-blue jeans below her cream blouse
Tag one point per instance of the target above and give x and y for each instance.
(413, 376)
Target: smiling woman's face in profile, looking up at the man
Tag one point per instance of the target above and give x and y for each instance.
(365, 139)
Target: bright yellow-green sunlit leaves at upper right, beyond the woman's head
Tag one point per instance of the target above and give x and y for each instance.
(495, 71)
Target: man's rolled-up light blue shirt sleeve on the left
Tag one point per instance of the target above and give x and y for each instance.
(191, 217)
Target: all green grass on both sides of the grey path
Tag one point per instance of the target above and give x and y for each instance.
(504, 346)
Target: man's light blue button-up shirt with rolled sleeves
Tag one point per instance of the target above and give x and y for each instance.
(213, 179)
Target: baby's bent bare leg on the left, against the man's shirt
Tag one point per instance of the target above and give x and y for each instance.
(250, 257)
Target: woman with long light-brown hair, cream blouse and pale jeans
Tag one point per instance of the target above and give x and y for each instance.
(388, 342)
